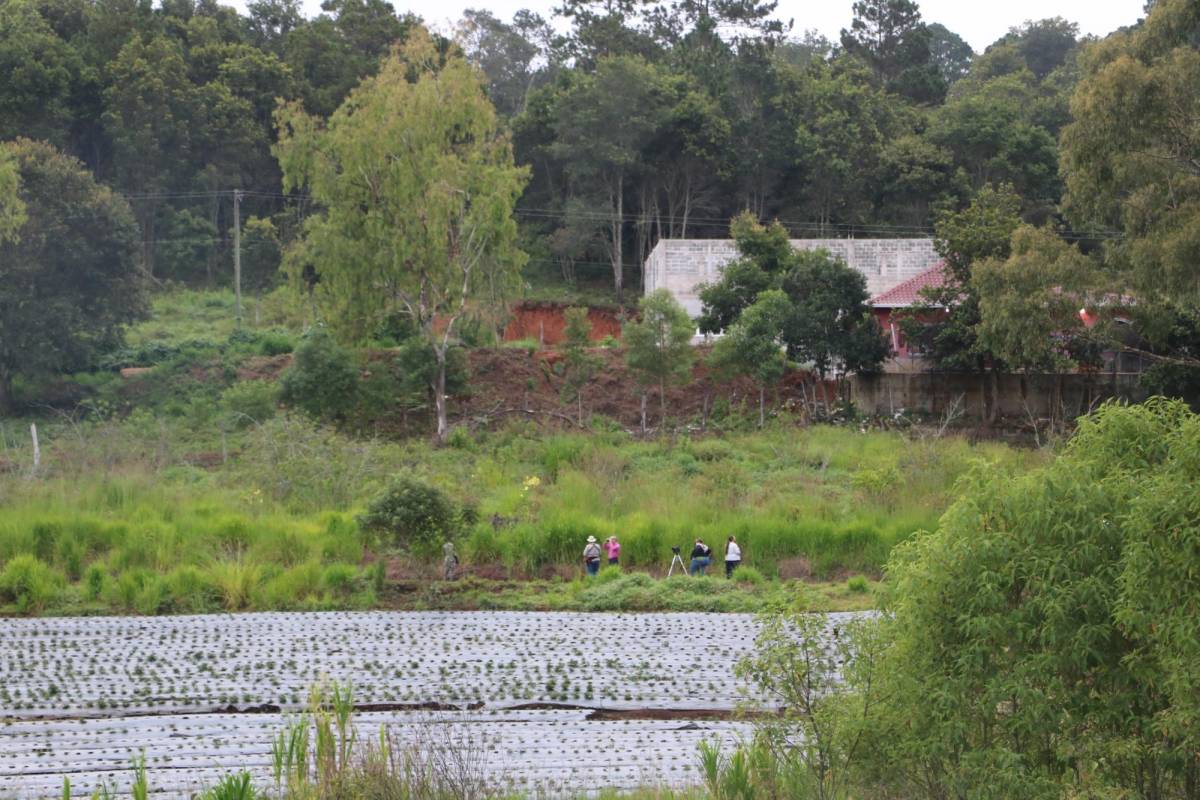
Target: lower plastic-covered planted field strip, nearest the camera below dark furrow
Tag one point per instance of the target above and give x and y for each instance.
(539, 753)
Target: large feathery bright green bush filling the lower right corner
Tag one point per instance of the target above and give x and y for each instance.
(1054, 607)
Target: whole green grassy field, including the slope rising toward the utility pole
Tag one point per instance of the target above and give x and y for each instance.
(187, 489)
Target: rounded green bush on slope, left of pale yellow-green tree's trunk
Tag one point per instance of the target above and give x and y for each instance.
(322, 380)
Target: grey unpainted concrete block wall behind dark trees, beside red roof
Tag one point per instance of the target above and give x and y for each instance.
(681, 266)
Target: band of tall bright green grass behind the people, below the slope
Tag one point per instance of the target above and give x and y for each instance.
(274, 527)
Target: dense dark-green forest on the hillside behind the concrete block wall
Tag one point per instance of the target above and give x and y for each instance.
(643, 121)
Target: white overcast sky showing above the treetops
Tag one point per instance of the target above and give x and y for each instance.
(980, 22)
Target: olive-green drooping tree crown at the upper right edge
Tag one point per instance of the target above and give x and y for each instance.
(1132, 155)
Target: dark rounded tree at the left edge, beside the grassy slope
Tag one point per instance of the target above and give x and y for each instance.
(69, 281)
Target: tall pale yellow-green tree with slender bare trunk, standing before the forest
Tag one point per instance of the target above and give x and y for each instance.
(417, 185)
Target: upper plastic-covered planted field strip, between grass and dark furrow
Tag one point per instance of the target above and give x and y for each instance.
(123, 666)
